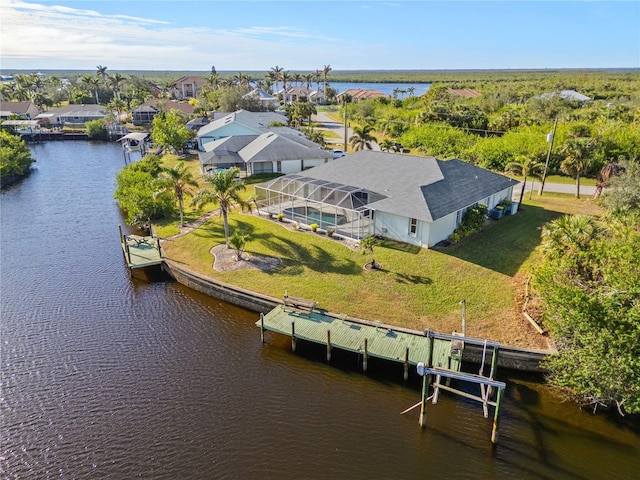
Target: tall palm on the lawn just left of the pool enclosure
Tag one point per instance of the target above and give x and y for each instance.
(225, 192)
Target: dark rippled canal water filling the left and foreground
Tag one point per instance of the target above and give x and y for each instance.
(107, 376)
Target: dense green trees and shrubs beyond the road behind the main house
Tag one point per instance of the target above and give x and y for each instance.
(510, 121)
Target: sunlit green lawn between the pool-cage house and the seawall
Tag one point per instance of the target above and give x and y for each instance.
(416, 288)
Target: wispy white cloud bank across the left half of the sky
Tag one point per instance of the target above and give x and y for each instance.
(43, 36)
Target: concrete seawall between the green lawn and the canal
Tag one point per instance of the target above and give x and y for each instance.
(509, 357)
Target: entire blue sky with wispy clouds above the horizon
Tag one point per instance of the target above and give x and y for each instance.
(306, 35)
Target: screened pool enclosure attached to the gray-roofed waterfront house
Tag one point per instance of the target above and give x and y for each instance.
(307, 200)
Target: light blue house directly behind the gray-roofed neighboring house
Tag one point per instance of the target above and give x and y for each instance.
(241, 122)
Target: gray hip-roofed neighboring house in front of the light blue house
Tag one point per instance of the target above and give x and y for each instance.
(284, 151)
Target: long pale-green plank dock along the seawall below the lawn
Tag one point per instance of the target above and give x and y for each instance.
(367, 339)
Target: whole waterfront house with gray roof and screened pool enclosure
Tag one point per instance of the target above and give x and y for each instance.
(416, 200)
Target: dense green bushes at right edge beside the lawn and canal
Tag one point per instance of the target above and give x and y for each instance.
(589, 282)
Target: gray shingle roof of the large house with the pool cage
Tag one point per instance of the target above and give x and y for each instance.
(414, 187)
